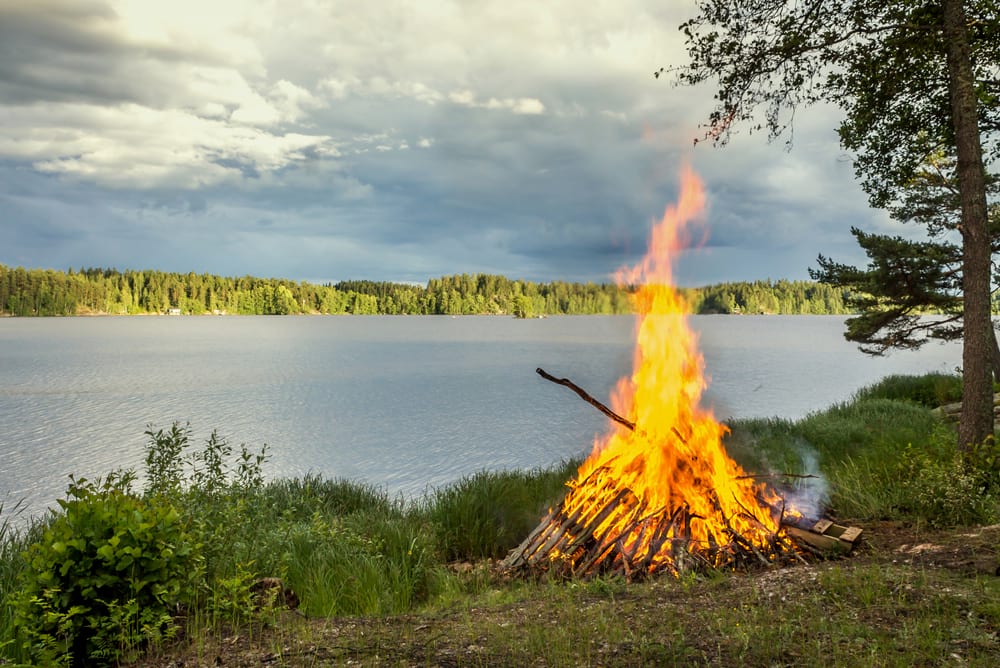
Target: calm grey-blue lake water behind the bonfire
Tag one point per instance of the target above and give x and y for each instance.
(402, 402)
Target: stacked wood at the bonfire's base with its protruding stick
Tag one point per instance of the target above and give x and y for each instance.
(613, 531)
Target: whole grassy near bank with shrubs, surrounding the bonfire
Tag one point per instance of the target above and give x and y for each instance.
(166, 574)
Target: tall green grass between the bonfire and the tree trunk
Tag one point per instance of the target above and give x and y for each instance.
(882, 454)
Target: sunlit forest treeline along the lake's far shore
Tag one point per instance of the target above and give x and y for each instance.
(45, 292)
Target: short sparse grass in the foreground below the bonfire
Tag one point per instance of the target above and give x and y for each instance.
(868, 612)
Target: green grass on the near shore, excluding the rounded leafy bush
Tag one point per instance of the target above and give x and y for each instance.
(350, 551)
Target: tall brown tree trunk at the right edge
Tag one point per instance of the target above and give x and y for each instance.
(976, 422)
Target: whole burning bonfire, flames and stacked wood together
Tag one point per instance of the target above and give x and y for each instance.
(659, 493)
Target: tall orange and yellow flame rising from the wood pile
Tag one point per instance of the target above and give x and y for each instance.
(674, 458)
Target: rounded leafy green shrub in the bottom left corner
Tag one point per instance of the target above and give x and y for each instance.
(107, 577)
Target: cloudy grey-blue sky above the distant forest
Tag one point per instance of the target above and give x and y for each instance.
(322, 141)
